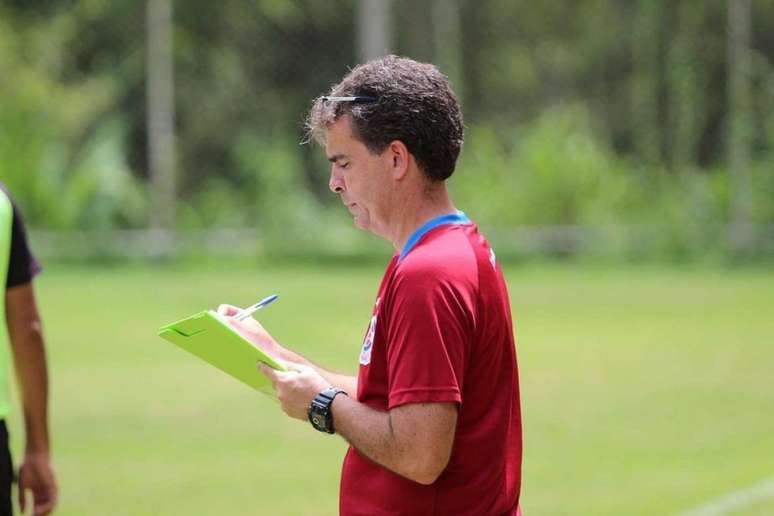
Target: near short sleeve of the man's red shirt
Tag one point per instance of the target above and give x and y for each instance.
(429, 333)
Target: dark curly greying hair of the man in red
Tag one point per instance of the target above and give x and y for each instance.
(398, 99)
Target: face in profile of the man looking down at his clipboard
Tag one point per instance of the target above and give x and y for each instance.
(361, 178)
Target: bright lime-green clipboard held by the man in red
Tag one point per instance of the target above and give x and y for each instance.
(208, 336)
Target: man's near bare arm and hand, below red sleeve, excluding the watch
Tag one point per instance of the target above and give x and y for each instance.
(413, 440)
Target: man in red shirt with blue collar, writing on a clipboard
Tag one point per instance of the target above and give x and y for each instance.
(433, 417)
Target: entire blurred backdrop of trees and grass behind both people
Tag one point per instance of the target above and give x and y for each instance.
(619, 154)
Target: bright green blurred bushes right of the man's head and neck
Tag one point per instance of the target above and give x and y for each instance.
(557, 172)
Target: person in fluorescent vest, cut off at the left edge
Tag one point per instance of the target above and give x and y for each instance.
(18, 267)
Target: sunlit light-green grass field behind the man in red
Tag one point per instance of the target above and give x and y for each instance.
(644, 390)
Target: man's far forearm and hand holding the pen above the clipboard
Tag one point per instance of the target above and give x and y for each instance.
(254, 331)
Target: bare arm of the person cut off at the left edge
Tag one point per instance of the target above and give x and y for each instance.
(26, 337)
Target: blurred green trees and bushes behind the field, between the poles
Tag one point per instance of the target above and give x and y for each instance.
(597, 115)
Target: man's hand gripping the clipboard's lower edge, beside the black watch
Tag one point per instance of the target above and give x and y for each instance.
(295, 388)
